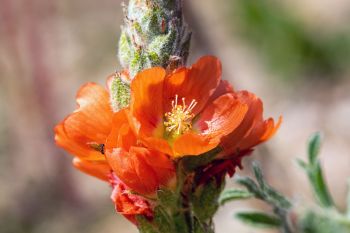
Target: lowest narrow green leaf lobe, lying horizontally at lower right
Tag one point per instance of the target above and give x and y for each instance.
(259, 219)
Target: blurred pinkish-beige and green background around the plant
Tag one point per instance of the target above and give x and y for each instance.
(294, 54)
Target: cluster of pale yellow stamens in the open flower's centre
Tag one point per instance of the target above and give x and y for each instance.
(179, 119)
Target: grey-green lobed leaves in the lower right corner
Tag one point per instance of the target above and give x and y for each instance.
(287, 216)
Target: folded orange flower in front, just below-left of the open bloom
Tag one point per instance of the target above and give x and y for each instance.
(142, 170)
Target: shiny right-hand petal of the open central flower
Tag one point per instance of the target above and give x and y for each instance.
(221, 117)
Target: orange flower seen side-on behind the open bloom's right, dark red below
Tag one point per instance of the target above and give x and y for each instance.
(252, 131)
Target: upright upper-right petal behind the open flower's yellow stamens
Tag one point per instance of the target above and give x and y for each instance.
(196, 83)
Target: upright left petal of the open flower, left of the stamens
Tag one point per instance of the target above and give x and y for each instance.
(146, 100)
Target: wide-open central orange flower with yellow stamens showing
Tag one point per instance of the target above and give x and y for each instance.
(182, 113)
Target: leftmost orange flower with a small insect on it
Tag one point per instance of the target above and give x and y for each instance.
(84, 132)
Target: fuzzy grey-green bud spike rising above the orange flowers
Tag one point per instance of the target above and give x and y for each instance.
(154, 34)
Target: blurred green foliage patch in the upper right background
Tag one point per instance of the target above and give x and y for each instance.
(286, 45)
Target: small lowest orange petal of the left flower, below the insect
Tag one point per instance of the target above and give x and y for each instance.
(99, 169)
